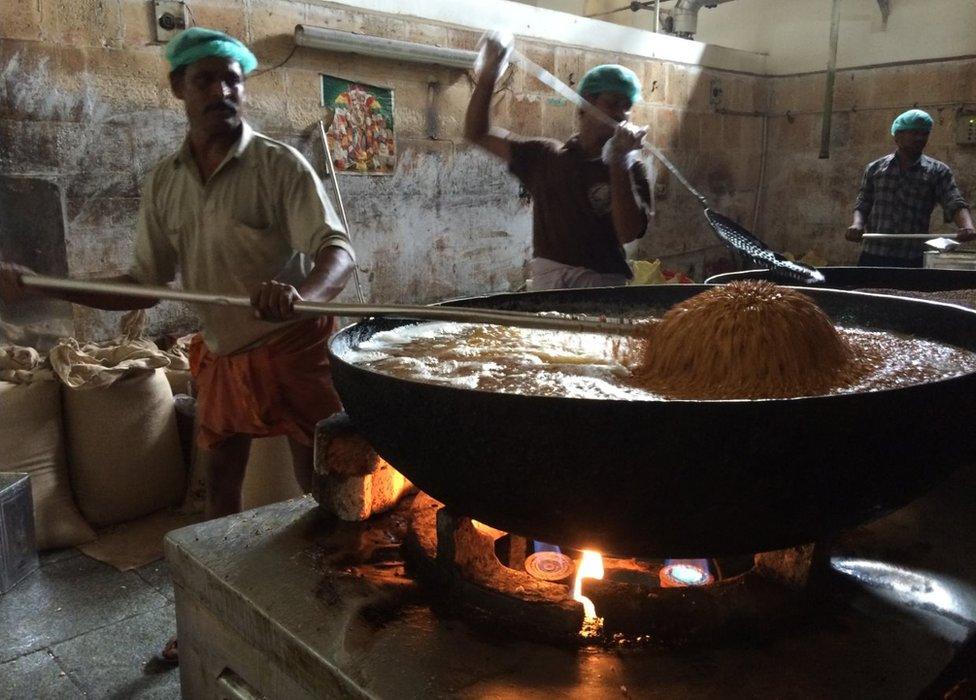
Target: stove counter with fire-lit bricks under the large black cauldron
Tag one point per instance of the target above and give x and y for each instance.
(290, 601)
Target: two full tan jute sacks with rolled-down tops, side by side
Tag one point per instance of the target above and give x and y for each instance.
(94, 426)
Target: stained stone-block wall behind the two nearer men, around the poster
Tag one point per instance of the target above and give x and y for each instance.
(85, 105)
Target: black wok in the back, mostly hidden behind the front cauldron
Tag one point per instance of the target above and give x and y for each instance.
(906, 278)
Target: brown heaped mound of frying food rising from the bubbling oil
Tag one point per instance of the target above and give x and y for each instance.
(746, 340)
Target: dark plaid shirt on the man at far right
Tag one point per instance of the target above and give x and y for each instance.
(897, 201)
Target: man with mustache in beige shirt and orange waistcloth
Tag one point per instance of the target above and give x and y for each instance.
(237, 213)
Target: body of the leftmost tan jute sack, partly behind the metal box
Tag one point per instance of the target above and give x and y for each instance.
(32, 441)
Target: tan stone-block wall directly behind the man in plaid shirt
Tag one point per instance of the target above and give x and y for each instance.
(807, 202)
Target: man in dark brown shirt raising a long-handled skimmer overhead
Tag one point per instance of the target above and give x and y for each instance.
(591, 194)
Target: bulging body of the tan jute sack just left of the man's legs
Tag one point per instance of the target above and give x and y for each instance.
(123, 447)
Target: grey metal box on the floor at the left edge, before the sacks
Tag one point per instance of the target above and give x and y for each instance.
(18, 554)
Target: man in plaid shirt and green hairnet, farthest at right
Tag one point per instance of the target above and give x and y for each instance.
(898, 194)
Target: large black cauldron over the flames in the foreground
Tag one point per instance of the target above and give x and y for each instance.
(673, 478)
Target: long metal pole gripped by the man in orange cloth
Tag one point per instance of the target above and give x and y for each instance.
(576, 323)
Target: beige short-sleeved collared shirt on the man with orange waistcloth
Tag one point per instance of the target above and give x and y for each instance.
(262, 215)
